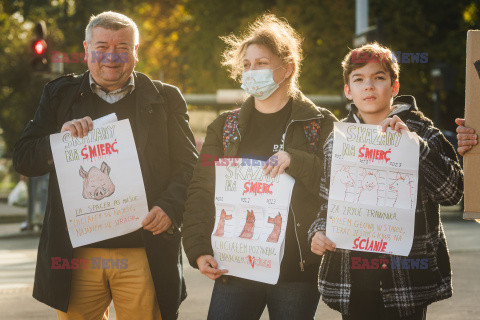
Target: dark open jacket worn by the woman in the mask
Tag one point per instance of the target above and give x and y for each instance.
(306, 166)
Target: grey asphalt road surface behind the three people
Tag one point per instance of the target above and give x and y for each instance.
(17, 267)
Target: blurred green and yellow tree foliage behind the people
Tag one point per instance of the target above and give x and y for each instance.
(179, 44)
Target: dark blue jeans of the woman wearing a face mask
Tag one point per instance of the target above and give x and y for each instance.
(239, 299)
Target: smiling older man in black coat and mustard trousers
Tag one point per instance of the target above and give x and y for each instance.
(152, 285)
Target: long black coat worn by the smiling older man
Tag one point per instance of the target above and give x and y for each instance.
(167, 154)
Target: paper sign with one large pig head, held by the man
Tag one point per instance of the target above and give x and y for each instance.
(100, 182)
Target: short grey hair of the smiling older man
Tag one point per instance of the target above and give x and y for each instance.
(112, 21)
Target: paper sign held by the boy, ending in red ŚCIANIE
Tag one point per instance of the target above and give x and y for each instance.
(373, 189)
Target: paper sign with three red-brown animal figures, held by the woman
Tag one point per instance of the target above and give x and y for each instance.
(248, 238)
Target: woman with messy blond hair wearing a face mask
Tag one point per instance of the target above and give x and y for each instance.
(279, 124)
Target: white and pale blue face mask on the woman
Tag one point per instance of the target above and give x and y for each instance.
(260, 83)
